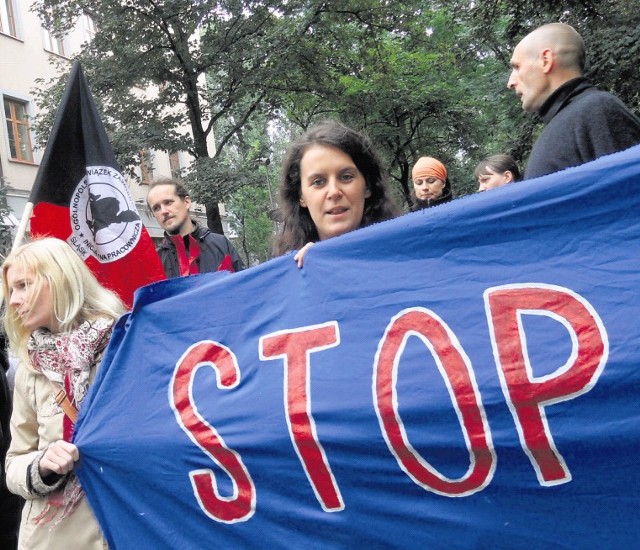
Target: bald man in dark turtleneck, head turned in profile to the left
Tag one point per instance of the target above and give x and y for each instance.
(582, 123)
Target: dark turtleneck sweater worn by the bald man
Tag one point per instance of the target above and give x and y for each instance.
(582, 123)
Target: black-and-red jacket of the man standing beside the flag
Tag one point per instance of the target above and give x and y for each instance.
(213, 248)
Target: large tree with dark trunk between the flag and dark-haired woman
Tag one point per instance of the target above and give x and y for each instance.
(210, 63)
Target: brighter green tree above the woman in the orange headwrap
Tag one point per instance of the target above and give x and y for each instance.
(399, 77)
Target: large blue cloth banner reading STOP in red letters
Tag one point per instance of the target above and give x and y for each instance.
(466, 375)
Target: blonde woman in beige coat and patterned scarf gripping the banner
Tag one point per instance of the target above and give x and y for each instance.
(58, 320)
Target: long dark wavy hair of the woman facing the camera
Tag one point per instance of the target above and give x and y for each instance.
(298, 227)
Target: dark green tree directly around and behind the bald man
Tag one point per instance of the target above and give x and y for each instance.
(611, 31)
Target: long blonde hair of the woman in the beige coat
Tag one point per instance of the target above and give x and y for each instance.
(76, 296)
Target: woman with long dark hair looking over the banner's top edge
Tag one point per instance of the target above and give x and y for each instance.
(332, 182)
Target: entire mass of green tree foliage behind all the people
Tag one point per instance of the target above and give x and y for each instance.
(422, 78)
